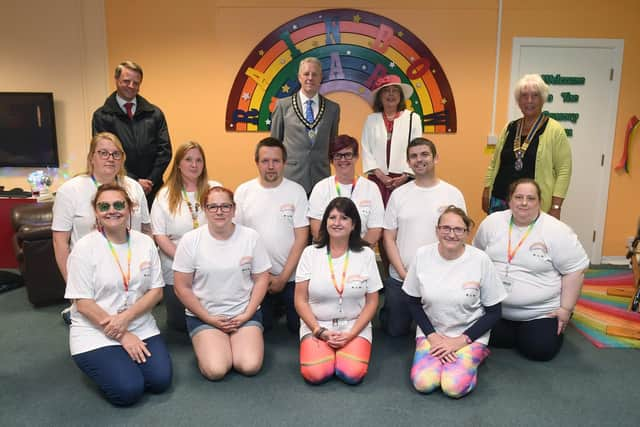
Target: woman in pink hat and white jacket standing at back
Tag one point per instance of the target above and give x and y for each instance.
(387, 132)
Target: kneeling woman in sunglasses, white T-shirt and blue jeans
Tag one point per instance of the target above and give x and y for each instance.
(114, 280)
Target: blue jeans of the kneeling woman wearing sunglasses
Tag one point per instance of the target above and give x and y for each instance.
(121, 379)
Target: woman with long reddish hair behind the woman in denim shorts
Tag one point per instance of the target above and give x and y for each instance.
(176, 210)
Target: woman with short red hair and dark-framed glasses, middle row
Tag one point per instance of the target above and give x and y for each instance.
(343, 155)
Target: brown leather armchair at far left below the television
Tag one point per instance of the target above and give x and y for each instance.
(33, 246)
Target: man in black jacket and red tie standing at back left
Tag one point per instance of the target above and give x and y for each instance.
(140, 126)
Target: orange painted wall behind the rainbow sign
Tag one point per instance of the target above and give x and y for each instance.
(191, 52)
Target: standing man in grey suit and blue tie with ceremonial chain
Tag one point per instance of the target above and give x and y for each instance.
(306, 122)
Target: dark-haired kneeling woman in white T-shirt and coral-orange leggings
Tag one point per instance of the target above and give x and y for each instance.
(336, 296)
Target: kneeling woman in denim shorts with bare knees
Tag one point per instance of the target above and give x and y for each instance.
(221, 272)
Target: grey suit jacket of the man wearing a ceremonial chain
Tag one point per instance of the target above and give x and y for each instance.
(307, 163)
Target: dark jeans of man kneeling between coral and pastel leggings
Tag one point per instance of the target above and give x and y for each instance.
(394, 314)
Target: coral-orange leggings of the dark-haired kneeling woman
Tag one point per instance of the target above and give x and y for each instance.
(319, 362)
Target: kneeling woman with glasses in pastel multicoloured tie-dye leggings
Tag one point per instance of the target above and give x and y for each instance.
(454, 295)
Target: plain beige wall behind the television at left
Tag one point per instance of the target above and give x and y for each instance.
(57, 47)
